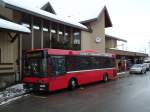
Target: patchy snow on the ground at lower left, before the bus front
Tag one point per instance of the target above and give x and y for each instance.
(12, 93)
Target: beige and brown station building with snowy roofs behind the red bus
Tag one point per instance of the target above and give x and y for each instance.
(27, 27)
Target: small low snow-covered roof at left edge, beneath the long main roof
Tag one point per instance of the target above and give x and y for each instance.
(4, 24)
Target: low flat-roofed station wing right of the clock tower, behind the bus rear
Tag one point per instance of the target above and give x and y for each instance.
(124, 58)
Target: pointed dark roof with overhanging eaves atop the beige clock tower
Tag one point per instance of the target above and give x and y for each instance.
(104, 11)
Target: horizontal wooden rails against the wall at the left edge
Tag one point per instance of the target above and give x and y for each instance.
(6, 68)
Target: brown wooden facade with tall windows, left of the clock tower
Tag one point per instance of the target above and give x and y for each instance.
(45, 33)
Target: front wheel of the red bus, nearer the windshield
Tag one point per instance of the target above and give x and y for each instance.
(72, 83)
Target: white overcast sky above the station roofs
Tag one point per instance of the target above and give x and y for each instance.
(130, 18)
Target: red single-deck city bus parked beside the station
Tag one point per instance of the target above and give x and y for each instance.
(54, 69)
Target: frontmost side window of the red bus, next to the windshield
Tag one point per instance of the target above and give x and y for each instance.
(58, 65)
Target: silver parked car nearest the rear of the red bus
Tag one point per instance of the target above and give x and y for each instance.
(138, 68)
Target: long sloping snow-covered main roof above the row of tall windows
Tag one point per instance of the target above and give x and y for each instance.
(24, 7)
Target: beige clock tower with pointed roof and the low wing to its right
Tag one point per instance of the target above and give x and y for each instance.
(97, 39)
